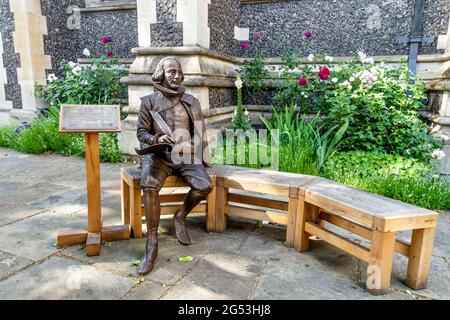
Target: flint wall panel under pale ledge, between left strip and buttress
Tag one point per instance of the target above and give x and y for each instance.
(121, 26)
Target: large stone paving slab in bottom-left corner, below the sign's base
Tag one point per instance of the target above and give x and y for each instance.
(60, 278)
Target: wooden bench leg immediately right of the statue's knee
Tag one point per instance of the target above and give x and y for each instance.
(216, 220)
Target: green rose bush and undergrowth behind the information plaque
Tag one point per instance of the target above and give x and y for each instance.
(98, 83)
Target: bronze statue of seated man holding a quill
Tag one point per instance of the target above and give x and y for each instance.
(169, 118)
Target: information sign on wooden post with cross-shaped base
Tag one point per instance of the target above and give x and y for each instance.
(91, 120)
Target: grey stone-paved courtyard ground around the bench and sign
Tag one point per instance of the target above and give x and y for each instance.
(41, 194)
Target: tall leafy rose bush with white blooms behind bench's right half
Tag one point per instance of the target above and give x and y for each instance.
(382, 117)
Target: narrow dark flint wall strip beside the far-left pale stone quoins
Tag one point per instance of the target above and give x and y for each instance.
(63, 39)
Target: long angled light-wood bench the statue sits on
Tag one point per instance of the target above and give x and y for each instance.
(305, 204)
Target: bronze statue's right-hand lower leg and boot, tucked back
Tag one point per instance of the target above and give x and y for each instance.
(193, 198)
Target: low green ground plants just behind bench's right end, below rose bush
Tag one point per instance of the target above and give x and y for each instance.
(393, 176)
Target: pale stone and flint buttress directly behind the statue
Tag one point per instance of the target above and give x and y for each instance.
(200, 33)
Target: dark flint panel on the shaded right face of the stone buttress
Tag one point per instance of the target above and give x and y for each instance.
(222, 17)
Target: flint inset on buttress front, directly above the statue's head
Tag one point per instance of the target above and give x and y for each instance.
(166, 32)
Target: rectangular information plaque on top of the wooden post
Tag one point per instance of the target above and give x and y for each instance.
(89, 118)
